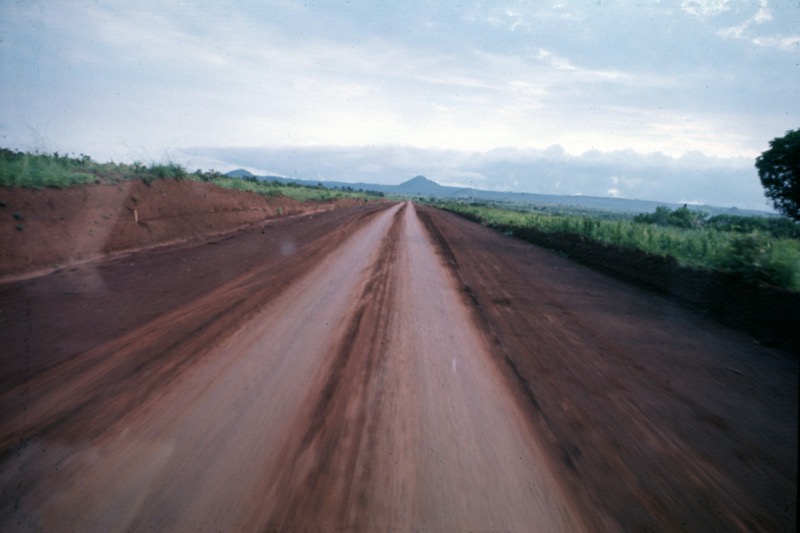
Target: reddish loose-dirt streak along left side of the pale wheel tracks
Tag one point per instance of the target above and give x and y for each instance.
(133, 368)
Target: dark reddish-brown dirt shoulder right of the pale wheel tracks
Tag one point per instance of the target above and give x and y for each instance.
(656, 417)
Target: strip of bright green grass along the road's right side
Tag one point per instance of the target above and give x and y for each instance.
(757, 254)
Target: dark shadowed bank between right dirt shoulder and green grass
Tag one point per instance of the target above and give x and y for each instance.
(741, 299)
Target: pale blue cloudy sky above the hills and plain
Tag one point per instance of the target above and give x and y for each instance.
(660, 100)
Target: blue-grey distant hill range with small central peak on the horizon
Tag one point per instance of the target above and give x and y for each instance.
(422, 187)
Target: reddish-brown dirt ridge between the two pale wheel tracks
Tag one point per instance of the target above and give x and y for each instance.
(326, 475)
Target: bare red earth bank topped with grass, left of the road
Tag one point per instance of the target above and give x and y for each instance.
(42, 230)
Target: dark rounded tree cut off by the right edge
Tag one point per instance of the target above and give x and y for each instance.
(779, 170)
